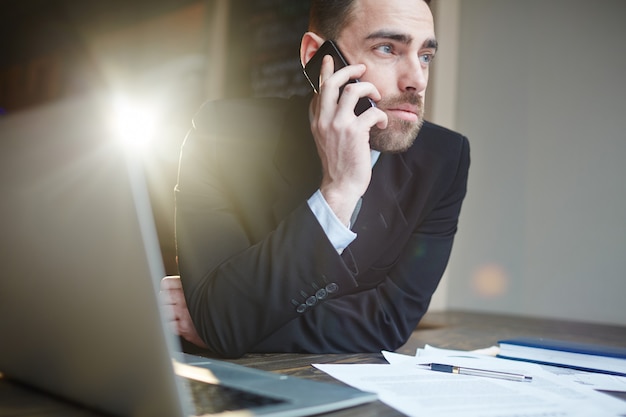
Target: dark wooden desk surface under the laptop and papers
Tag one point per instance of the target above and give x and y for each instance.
(453, 330)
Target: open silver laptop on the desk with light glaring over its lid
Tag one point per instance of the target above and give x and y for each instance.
(80, 262)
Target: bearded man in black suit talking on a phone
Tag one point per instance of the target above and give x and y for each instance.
(302, 227)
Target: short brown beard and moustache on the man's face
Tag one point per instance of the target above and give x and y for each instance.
(399, 134)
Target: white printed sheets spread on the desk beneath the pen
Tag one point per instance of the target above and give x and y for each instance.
(415, 391)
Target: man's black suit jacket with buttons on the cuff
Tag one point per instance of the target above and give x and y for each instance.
(258, 271)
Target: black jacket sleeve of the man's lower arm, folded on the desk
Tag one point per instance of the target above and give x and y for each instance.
(384, 316)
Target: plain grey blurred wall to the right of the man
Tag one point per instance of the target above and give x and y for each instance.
(540, 93)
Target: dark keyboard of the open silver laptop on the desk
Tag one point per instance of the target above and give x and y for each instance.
(215, 398)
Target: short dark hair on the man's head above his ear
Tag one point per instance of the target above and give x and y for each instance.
(328, 17)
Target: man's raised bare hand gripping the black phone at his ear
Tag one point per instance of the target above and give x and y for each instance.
(342, 136)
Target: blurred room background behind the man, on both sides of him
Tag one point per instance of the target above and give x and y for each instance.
(538, 87)
